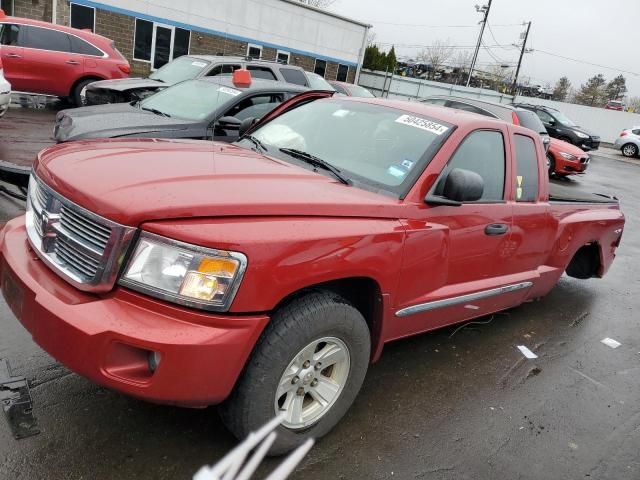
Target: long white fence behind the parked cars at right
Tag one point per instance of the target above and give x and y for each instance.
(606, 123)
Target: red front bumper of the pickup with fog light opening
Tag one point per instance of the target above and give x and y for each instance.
(110, 339)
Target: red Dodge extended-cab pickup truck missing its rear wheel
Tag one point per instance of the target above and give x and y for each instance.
(266, 275)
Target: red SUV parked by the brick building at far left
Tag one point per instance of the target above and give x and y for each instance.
(44, 58)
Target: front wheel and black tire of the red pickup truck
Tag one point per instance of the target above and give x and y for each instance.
(309, 320)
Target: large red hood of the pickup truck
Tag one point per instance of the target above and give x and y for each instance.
(133, 181)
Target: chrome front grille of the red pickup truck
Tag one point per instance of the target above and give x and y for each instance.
(83, 248)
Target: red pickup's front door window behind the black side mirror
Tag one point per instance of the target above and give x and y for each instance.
(481, 152)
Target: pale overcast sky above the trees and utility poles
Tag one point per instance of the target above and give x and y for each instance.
(603, 33)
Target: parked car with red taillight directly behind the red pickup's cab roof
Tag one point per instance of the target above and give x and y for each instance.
(508, 113)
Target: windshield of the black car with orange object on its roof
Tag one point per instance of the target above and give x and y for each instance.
(191, 100)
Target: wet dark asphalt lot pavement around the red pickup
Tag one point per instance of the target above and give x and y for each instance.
(459, 403)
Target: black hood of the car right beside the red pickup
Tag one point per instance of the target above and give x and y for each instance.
(108, 121)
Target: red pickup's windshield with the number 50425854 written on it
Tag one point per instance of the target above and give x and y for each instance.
(381, 147)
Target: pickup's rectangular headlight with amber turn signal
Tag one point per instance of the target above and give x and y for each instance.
(183, 273)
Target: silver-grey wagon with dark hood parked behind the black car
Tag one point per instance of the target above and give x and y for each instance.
(189, 67)
